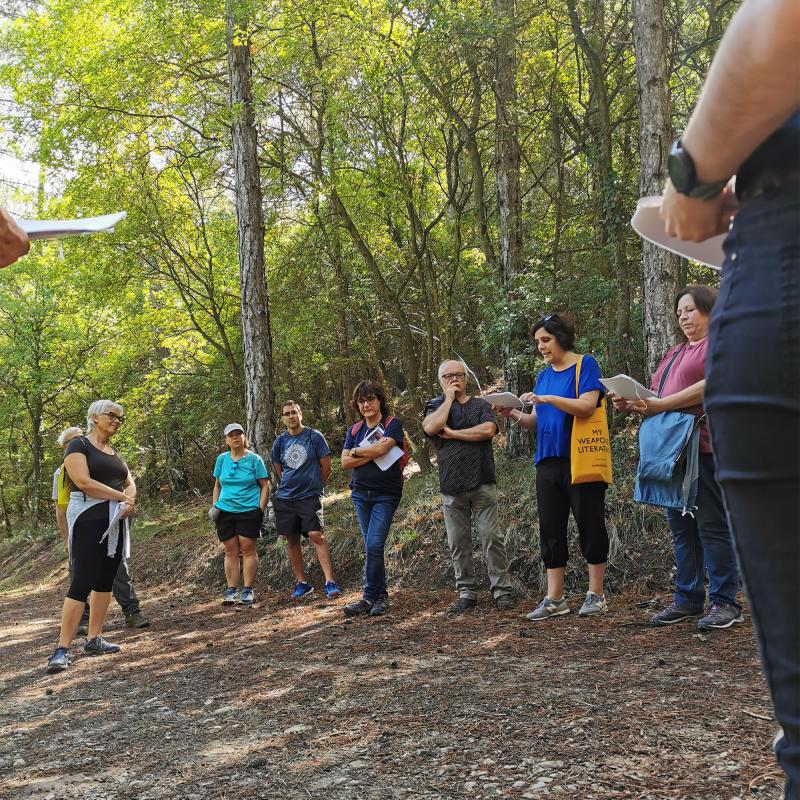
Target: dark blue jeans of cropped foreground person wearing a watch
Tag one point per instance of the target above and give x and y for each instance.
(753, 403)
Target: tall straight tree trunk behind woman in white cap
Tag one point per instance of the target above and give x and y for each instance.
(256, 332)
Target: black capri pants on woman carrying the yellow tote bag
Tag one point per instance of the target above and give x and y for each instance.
(556, 495)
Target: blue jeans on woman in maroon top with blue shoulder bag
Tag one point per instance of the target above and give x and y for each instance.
(701, 543)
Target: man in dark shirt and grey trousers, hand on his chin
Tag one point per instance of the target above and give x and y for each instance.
(461, 428)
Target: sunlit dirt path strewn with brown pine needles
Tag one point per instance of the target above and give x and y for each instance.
(293, 702)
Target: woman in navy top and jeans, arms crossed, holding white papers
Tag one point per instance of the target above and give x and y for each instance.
(372, 451)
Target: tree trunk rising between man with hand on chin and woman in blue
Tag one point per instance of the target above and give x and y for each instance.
(507, 167)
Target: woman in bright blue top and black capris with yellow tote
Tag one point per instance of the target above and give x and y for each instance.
(556, 403)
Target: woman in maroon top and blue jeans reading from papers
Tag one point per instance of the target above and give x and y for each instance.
(702, 542)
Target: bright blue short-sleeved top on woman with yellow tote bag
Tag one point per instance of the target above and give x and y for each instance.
(554, 427)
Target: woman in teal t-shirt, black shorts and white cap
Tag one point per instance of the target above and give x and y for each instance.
(241, 492)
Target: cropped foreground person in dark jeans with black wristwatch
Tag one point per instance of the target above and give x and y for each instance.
(748, 122)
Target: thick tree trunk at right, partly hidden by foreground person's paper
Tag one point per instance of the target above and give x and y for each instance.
(660, 268)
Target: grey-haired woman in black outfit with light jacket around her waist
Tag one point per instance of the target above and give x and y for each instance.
(101, 503)
